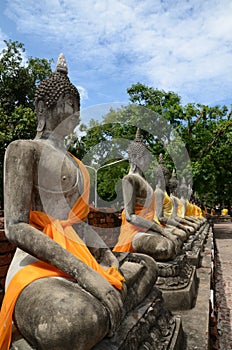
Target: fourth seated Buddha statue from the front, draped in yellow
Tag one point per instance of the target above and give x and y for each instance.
(178, 212)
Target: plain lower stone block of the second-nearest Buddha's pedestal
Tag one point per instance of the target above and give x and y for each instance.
(182, 299)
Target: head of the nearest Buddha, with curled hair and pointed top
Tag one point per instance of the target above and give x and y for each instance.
(57, 101)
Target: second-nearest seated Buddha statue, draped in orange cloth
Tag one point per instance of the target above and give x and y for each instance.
(139, 231)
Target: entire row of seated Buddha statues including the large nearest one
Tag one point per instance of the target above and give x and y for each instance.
(65, 289)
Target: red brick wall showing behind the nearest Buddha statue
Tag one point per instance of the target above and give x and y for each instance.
(105, 221)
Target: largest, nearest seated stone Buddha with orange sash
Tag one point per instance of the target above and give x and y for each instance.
(65, 289)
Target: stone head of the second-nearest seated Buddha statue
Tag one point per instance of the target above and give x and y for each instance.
(138, 153)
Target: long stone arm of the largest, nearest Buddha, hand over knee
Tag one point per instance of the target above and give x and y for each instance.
(19, 168)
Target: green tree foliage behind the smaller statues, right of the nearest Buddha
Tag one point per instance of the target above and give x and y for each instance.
(194, 138)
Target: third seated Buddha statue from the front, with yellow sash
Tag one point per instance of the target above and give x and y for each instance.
(163, 202)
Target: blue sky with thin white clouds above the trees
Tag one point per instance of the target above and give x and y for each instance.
(183, 46)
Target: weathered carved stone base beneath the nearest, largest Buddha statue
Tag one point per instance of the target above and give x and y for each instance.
(149, 326)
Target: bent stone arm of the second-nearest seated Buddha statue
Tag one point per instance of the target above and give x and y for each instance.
(129, 187)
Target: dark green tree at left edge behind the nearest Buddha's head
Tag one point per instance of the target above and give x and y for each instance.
(19, 77)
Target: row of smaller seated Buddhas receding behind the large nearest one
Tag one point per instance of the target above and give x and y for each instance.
(153, 222)
